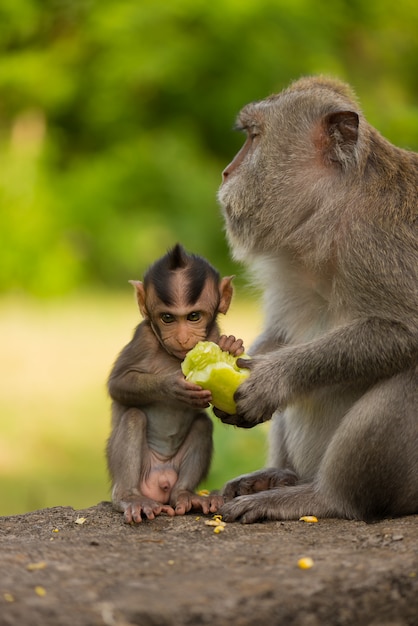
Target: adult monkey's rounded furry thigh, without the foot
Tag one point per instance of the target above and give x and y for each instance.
(370, 469)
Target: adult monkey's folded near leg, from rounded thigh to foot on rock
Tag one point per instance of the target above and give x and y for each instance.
(370, 468)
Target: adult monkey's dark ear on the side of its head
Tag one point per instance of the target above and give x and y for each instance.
(340, 134)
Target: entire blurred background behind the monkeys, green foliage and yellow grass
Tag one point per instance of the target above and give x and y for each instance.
(115, 124)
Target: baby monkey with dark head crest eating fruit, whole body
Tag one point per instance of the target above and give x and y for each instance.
(160, 445)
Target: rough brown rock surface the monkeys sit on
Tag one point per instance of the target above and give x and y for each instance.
(61, 567)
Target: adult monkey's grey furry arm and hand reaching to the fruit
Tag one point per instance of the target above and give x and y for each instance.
(361, 352)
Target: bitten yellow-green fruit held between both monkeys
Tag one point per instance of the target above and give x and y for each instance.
(210, 367)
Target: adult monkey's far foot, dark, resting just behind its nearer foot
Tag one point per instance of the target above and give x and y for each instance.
(262, 480)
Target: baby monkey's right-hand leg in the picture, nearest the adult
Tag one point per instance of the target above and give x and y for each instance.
(193, 462)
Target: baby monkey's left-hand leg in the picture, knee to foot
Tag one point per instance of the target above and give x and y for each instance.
(128, 459)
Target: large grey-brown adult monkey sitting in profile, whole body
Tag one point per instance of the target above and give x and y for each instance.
(324, 210)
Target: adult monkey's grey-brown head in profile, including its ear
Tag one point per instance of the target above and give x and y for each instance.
(289, 164)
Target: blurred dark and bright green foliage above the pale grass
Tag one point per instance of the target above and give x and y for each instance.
(115, 118)
